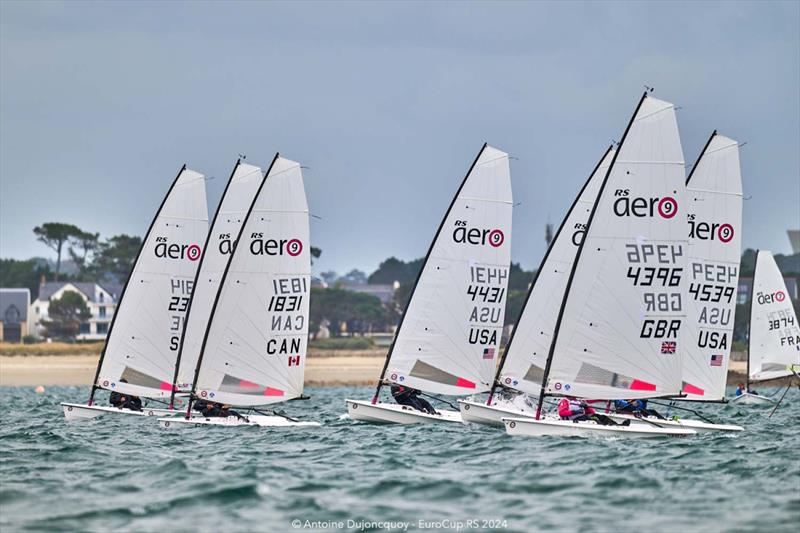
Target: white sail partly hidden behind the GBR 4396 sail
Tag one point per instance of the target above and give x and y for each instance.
(523, 368)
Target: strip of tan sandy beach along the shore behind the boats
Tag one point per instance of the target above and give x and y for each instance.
(324, 368)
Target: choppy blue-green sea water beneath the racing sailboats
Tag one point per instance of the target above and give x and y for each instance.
(128, 474)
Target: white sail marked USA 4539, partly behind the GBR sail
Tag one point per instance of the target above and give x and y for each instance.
(714, 214)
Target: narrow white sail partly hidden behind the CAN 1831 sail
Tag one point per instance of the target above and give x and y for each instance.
(235, 202)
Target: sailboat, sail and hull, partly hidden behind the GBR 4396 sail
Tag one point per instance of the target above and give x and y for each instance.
(522, 365)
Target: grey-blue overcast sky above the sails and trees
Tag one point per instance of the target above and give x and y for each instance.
(386, 103)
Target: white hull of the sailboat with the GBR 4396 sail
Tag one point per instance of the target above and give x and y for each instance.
(565, 428)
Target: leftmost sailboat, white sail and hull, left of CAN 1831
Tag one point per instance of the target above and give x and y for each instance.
(140, 352)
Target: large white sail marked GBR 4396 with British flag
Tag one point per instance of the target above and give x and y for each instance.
(618, 337)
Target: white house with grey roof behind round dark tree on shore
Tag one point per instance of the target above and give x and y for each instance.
(100, 299)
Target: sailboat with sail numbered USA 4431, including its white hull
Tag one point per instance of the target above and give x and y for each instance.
(449, 334)
